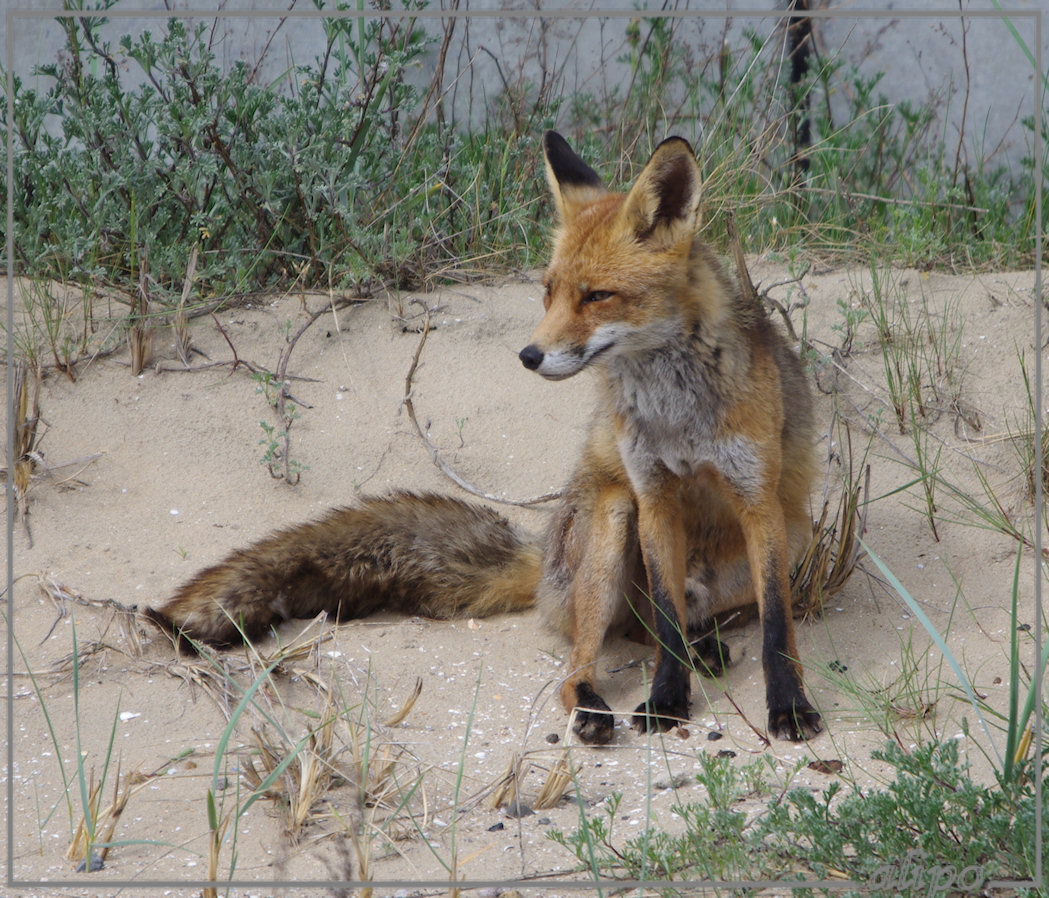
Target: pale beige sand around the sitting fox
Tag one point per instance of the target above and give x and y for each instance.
(145, 480)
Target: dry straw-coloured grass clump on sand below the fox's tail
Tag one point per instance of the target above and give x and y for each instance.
(337, 778)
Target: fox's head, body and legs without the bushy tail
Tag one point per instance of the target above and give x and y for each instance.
(680, 508)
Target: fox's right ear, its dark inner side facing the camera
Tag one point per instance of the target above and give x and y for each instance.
(663, 206)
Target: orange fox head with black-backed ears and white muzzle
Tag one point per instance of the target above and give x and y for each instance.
(619, 262)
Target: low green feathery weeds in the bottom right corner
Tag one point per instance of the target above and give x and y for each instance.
(931, 816)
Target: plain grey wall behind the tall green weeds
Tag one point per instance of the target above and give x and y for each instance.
(974, 69)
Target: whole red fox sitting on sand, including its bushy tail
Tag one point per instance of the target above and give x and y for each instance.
(691, 498)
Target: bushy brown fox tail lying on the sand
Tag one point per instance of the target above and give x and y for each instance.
(427, 555)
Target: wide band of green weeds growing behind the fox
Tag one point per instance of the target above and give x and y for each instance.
(347, 170)
